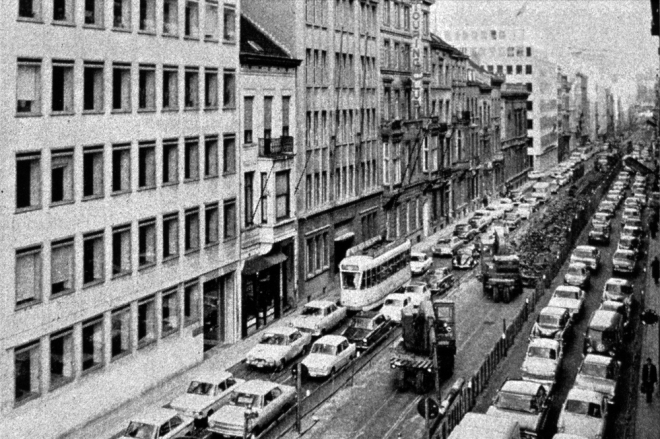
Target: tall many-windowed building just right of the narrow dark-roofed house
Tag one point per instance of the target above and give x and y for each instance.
(337, 183)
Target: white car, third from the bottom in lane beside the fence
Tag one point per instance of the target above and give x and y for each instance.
(543, 362)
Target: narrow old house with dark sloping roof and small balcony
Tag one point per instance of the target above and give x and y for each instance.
(268, 141)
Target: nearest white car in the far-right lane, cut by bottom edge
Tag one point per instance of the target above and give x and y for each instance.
(584, 413)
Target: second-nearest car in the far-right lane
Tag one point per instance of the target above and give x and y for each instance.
(601, 374)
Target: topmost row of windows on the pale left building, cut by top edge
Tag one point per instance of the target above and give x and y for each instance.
(199, 20)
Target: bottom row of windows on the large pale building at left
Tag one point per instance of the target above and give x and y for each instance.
(129, 328)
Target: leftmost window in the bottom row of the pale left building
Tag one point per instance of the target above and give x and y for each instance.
(27, 372)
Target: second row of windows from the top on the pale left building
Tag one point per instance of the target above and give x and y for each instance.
(167, 87)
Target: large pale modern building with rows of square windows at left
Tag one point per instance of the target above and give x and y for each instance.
(120, 207)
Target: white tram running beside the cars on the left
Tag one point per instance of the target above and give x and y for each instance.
(371, 271)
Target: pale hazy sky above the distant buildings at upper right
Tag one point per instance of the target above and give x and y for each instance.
(613, 36)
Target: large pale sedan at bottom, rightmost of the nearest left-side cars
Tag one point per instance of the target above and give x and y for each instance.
(266, 400)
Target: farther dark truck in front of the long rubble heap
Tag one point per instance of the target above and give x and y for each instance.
(500, 269)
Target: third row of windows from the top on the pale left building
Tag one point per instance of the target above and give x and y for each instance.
(156, 162)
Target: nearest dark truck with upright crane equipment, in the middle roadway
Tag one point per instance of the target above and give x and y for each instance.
(425, 353)
